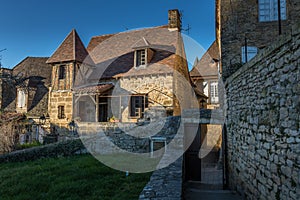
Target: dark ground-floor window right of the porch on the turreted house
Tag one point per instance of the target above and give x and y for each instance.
(138, 105)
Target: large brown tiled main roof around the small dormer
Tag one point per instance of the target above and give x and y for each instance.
(114, 54)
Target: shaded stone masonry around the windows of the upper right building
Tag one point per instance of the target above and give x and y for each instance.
(237, 20)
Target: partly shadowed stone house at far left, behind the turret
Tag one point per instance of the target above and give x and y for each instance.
(24, 89)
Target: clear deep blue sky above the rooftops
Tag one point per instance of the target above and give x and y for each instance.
(37, 27)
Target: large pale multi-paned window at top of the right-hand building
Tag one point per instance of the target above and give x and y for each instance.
(268, 10)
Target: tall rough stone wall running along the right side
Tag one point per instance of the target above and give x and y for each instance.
(263, 123)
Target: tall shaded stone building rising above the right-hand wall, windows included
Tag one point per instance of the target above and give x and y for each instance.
(243, 28)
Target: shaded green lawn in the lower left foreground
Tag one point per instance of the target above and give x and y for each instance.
(76, 177)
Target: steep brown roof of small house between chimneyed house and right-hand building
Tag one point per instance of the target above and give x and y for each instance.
(207, 66)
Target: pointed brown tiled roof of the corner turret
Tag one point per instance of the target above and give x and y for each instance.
(71, 49)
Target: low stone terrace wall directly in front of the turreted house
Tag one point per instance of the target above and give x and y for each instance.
(130, 136)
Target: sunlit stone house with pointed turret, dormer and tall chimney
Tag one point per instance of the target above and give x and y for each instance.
(120, 77)
